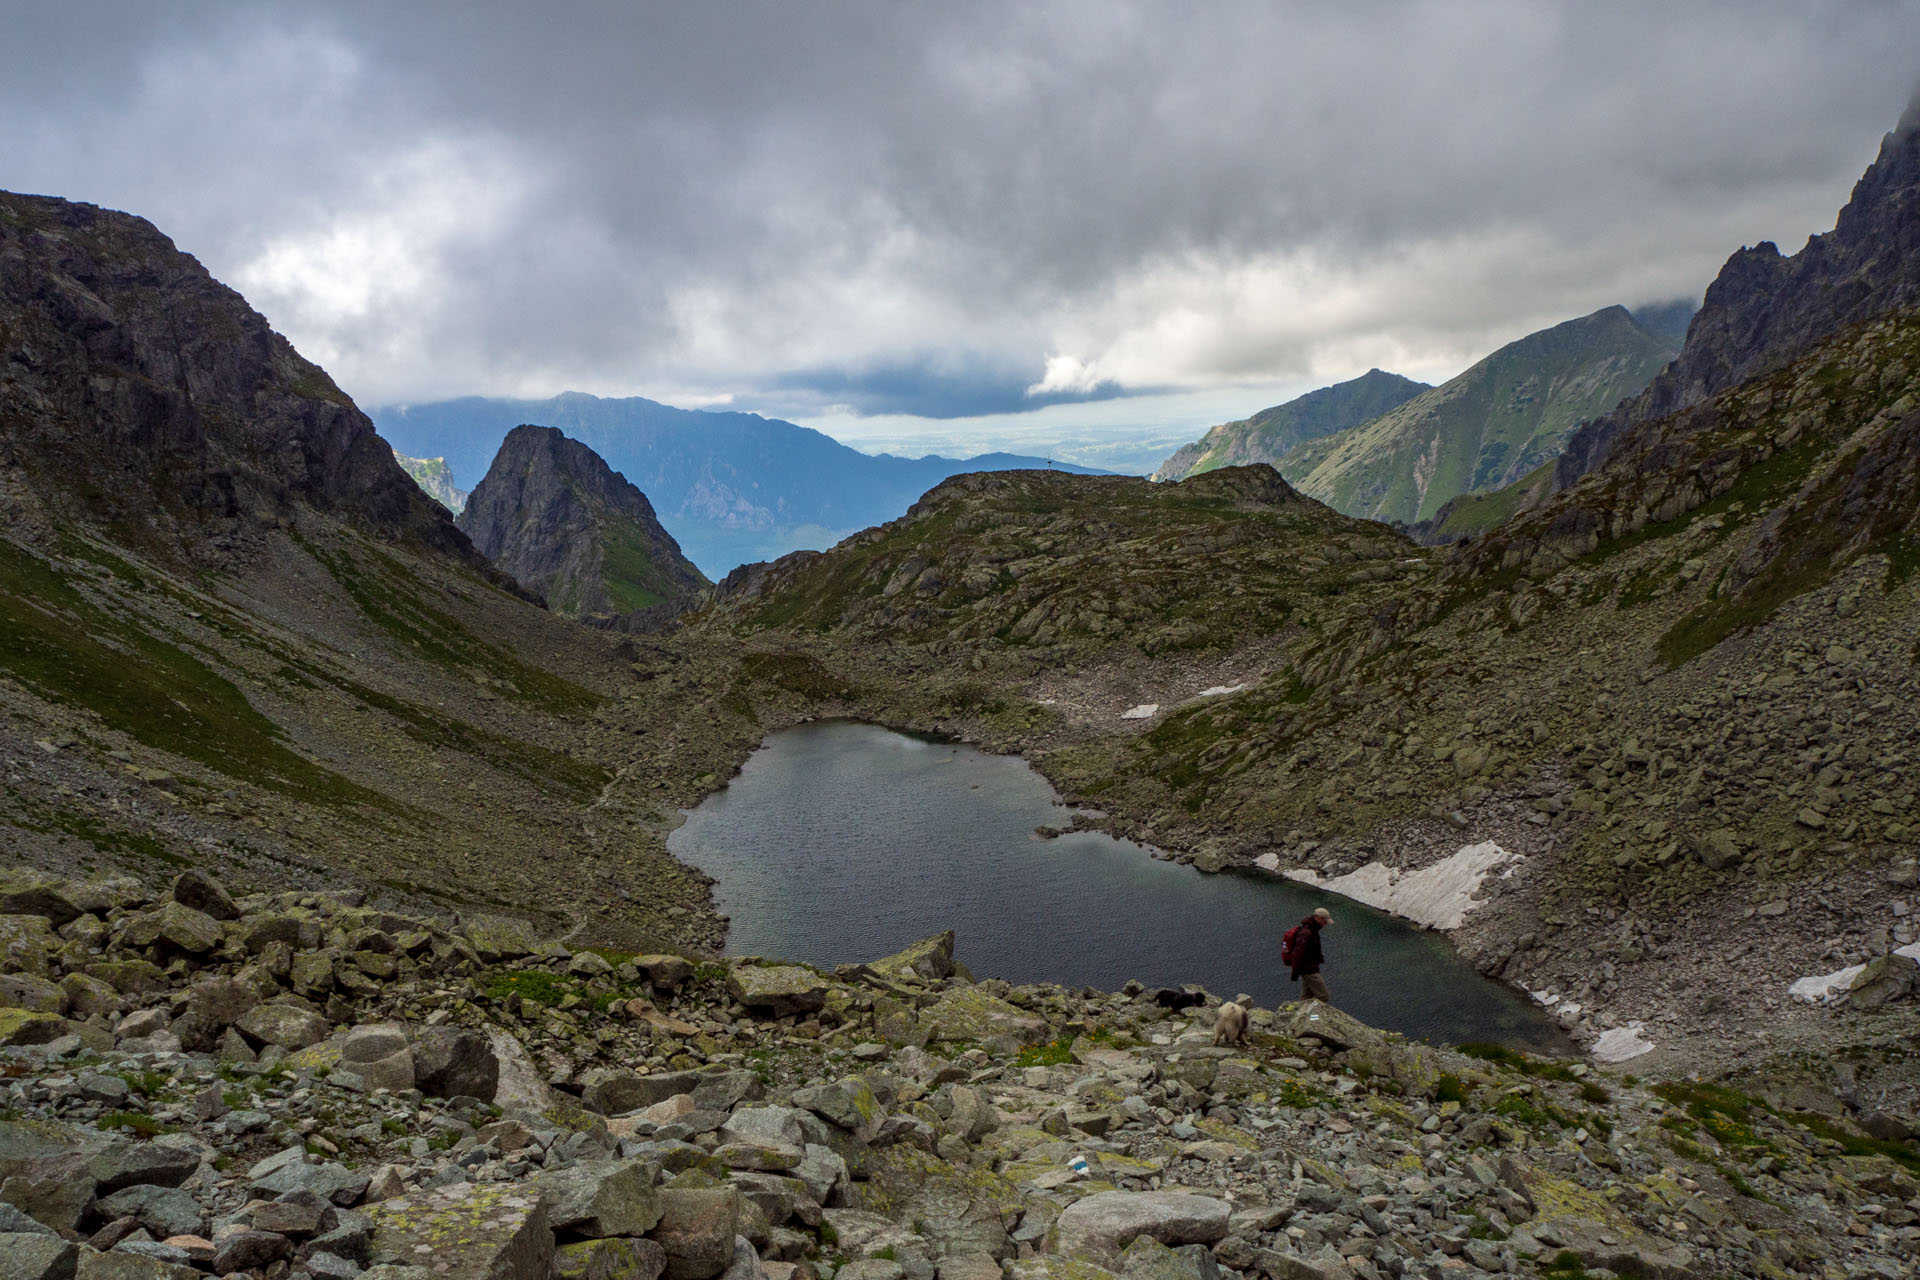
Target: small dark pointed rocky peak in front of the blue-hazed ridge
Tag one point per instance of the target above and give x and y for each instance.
(556, 517)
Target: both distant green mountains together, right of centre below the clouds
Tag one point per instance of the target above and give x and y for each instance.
(1481, 431)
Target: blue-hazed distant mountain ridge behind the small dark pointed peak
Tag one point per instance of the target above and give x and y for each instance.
(731, 486)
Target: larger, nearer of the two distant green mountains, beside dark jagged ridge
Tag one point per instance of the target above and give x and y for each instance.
(1485, 429)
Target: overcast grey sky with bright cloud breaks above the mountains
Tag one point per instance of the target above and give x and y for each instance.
(871, 214)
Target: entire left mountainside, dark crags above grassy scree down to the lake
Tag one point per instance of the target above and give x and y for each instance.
(235, 634)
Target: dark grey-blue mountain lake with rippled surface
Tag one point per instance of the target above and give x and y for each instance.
(842, 841)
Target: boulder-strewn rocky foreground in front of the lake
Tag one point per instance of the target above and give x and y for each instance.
(300, 1085)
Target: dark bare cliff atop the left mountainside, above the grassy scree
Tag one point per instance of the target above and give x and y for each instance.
(143, 394)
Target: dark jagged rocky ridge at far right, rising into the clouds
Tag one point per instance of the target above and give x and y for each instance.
(1764, 310)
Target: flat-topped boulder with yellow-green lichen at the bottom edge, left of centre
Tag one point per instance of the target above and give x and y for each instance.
(469, 1231)
